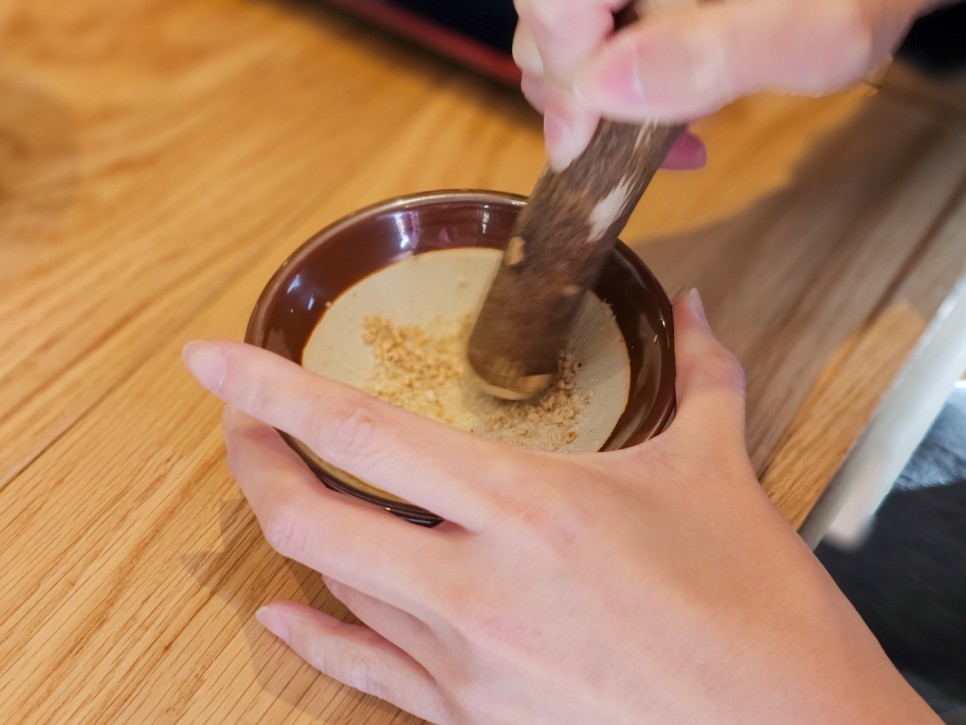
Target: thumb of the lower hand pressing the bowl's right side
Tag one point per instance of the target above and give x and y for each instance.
(710, 383)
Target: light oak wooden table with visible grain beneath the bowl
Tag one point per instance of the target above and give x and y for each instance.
(159, 159)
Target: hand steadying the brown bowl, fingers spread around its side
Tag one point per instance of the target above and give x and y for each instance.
(654, 584)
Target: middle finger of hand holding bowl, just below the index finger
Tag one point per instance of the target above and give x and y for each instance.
(327, 531)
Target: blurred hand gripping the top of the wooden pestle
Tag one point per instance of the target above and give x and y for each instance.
(680, 64)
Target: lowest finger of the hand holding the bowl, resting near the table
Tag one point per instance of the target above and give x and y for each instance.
(356, 656)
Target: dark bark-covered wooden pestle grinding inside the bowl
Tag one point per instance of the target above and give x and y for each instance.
(556, 252)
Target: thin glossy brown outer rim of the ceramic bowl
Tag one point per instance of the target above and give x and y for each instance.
(255, 332)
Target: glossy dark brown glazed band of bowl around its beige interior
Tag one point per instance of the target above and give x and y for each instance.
(368, 240)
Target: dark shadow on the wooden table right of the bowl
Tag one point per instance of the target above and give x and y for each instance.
(791, 278)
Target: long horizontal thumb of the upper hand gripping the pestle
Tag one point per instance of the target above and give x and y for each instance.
(683, 64)
